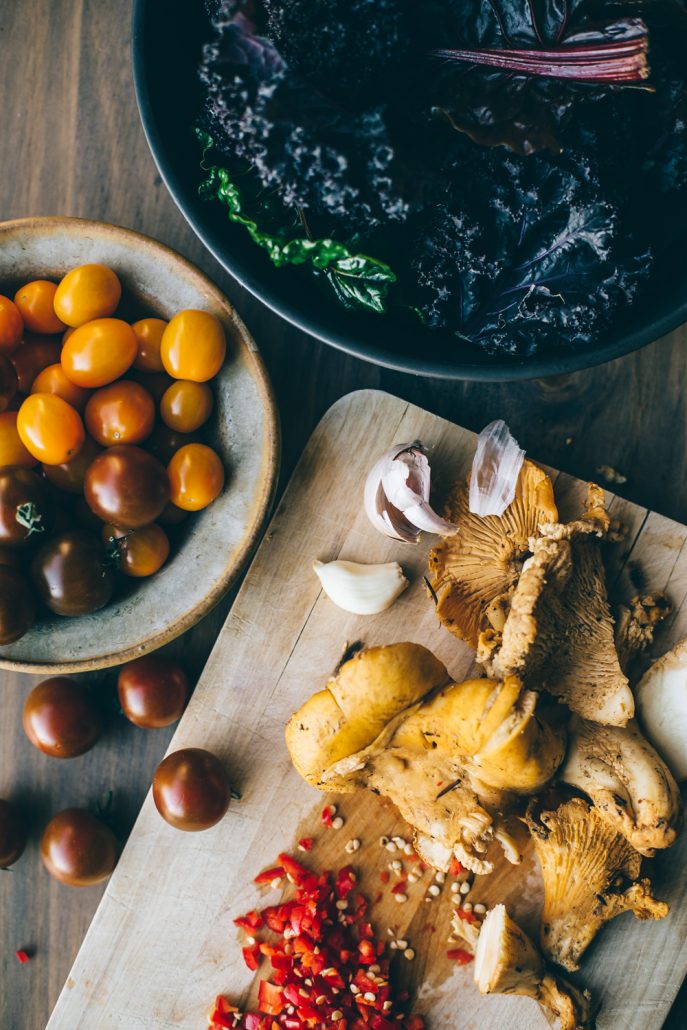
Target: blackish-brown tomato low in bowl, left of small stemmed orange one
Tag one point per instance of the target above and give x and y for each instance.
(72, 574)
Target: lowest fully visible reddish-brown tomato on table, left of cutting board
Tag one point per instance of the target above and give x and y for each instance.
(78, 849)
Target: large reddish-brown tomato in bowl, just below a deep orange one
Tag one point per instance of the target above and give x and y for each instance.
(127, 487)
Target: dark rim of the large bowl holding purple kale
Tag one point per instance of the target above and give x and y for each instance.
(347, 341)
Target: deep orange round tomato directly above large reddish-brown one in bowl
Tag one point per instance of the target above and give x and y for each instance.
(121, 414)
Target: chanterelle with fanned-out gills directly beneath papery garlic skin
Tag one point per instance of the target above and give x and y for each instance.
(482, 563)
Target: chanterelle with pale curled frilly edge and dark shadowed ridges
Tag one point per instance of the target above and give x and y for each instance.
(559, 633)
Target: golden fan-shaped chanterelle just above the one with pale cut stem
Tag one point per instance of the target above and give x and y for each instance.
(591, 876)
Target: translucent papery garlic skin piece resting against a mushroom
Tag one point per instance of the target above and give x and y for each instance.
(496, 469)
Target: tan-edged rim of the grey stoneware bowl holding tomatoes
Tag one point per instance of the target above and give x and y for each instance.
(269, 471)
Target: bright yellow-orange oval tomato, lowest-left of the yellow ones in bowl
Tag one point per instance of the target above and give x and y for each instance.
(50, 429)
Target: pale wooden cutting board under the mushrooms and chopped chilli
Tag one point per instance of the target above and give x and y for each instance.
(163, 944)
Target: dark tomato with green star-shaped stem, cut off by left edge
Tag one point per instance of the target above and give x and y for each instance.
(27, 513)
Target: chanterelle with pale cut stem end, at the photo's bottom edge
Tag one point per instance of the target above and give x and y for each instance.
(508, 963)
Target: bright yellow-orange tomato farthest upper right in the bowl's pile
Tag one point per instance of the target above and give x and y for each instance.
(194, 347)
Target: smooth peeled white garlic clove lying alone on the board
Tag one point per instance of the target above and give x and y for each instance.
(360, 589)
